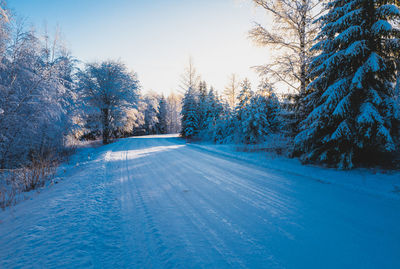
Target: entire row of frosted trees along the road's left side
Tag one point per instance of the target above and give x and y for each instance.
(48, 104)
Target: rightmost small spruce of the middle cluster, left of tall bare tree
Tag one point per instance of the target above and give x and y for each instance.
(263, 116)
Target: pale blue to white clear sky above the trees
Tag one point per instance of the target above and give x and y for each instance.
(156, 38)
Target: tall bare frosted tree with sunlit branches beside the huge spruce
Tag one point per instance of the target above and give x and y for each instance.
(292, 36)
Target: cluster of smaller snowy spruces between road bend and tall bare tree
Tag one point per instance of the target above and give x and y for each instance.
(249, 120)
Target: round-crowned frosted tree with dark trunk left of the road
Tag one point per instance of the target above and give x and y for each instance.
(109, 89)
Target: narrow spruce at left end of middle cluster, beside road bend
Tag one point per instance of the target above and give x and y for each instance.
(190, 118)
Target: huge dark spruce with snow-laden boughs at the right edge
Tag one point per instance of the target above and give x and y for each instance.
(354, 117)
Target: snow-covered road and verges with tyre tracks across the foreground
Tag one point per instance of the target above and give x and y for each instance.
(156, 202)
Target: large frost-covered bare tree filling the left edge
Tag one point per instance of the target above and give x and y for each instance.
(36, 98)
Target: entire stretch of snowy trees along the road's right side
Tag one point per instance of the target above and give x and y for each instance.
(340, 61)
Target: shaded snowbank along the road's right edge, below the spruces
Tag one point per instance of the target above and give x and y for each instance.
(372, 181)
